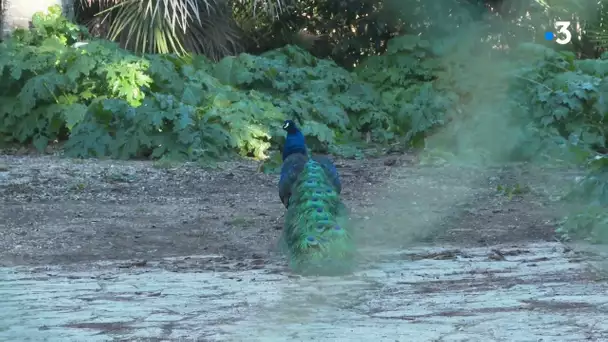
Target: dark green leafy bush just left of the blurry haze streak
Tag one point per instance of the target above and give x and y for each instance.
(405, 75)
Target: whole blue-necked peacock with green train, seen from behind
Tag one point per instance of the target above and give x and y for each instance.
(316, 235)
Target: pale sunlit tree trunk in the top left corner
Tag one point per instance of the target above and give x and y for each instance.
(18, 13)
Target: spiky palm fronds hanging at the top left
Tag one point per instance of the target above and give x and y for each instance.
(176, 26)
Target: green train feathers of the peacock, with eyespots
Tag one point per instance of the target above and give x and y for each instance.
(316, 233)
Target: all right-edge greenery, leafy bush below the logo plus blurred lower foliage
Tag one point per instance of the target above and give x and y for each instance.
(563, 100)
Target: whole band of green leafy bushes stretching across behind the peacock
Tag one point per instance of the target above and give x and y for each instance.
(457, 93)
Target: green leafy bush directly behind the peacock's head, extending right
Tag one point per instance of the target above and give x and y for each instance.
(326, 99)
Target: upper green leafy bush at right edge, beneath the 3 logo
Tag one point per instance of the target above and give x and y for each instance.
(563, 96)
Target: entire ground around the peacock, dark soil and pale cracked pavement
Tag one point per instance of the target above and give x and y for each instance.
(124, 251)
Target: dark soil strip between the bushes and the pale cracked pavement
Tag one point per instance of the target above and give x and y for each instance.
(64, 211)
